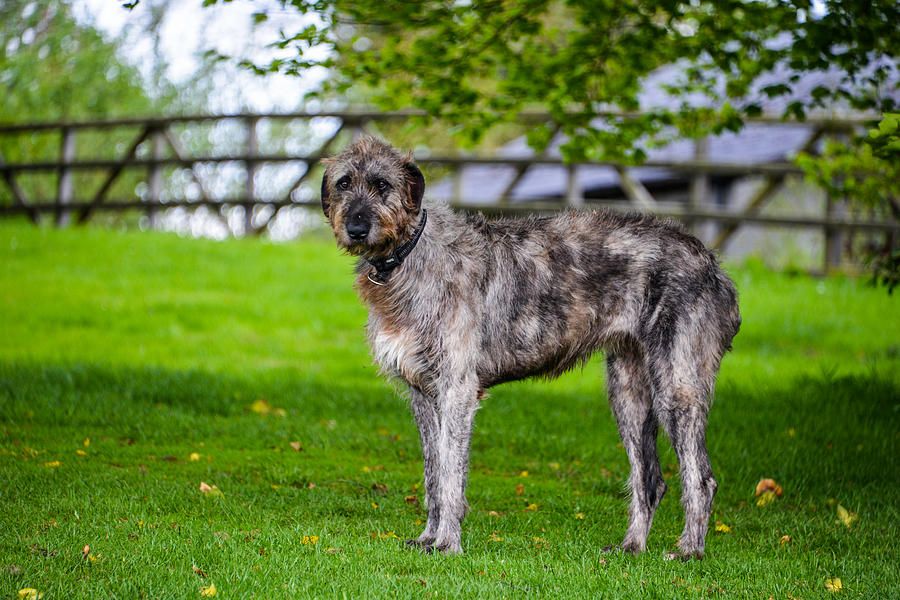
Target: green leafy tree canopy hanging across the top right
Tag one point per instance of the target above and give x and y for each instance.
(480, 63)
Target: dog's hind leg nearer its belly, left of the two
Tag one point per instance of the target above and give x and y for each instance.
(630, 397)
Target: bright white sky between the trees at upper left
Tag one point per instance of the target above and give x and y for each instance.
(189, 29)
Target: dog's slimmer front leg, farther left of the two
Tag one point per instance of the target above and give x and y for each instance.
(425, 411)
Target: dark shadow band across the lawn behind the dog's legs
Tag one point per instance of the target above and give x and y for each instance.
(820, 435)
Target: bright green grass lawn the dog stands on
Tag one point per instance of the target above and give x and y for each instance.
(131, 364)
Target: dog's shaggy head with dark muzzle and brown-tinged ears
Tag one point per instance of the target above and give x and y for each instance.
(371, 194)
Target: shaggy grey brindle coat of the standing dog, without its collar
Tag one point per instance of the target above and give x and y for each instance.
(479, 302)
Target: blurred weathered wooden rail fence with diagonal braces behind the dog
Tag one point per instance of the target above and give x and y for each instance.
(156, 146)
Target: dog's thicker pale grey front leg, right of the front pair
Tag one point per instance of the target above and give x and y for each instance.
(458, 401)
